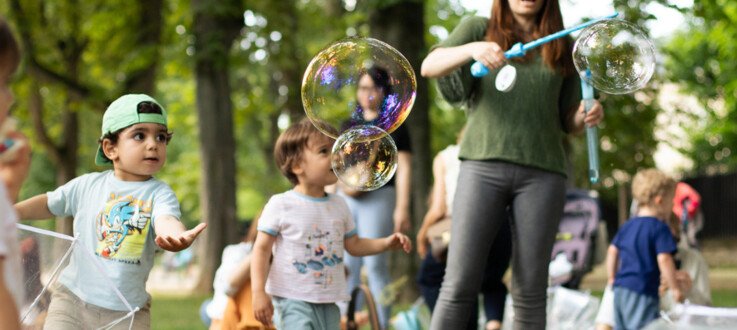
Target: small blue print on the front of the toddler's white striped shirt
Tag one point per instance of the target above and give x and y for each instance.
(320, 256)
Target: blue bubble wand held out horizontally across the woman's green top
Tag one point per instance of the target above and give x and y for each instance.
(519, 49)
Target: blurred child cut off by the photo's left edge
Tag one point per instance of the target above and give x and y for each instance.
(12, 173)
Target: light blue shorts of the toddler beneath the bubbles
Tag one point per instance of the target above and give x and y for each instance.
(297, 314)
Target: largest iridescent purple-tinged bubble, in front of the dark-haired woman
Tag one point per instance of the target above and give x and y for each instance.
(337, 95)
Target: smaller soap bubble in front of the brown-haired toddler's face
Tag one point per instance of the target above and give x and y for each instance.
(363, 162)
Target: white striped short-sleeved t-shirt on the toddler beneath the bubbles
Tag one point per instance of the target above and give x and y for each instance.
(308, 252)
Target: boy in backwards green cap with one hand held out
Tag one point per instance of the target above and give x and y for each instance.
(120, 216)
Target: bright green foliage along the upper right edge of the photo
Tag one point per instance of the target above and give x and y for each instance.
(701, 60)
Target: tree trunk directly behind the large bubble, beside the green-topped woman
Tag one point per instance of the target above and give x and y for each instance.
(402, 26)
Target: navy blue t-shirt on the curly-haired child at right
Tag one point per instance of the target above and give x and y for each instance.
(639, 242)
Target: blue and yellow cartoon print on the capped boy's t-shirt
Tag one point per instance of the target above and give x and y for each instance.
(122, 228)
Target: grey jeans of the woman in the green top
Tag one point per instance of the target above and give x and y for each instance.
(484, 192)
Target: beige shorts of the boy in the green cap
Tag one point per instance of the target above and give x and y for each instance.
(68, 312)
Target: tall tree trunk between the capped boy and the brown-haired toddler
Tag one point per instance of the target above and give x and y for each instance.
(216, 24)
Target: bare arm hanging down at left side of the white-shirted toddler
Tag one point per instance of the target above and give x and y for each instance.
(262, 307)
